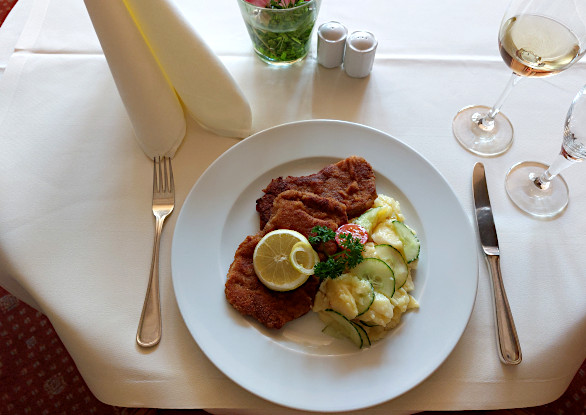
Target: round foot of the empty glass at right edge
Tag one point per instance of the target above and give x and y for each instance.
(528, 197)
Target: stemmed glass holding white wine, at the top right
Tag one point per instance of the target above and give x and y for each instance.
(537, 38)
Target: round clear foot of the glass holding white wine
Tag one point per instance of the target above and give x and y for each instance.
(481, 141)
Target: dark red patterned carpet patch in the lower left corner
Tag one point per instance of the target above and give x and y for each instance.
(37, 375)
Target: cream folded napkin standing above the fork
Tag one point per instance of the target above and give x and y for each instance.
(158, 61)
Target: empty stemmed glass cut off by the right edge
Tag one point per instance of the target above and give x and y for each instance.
(538, 189)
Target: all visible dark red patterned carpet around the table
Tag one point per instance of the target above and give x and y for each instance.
(38, 377)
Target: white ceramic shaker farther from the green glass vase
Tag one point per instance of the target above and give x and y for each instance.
(359, 54)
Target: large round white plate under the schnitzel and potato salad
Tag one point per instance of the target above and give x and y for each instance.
(298, 366)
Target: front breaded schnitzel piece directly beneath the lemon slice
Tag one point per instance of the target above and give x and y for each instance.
(299, 211)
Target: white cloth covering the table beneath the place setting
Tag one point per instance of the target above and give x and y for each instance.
(76, 226)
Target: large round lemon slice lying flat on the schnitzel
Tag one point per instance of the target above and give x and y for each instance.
(271, 260)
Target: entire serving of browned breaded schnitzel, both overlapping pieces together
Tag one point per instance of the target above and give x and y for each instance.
(328, 198)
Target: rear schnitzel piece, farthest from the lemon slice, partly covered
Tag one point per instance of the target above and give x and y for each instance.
(350, 181)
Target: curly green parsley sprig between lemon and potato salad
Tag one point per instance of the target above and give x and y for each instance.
(339, 262)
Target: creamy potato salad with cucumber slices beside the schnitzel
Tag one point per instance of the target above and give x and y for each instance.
(368, 300)
